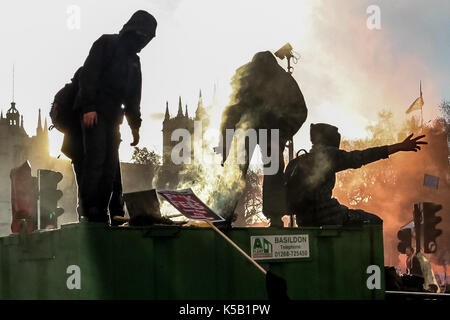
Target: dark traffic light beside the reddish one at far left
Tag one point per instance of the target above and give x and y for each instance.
(48, 198)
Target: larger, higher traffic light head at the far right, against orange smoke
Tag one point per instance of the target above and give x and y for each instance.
(430, 220)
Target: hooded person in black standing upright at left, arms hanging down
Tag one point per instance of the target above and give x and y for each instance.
(109, 88)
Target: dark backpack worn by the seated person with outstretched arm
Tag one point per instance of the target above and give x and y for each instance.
(296, 176)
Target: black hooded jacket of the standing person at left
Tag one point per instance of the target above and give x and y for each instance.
(111, 75)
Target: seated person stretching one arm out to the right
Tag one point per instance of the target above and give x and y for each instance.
(311, 177)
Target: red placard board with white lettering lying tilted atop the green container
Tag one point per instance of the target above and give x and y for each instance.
(190, 205)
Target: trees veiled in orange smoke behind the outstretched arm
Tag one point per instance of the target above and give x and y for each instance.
(390, 187)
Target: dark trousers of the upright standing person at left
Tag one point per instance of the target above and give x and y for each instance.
(98, 173)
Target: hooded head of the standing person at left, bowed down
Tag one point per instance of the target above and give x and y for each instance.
(138, 31)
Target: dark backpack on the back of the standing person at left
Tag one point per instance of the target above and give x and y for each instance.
(64, 117)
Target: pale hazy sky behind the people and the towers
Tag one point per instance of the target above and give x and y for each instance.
(347, 72)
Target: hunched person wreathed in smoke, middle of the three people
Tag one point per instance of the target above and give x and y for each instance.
(265, 96)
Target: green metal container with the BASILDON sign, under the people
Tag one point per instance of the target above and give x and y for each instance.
(93, 261)
